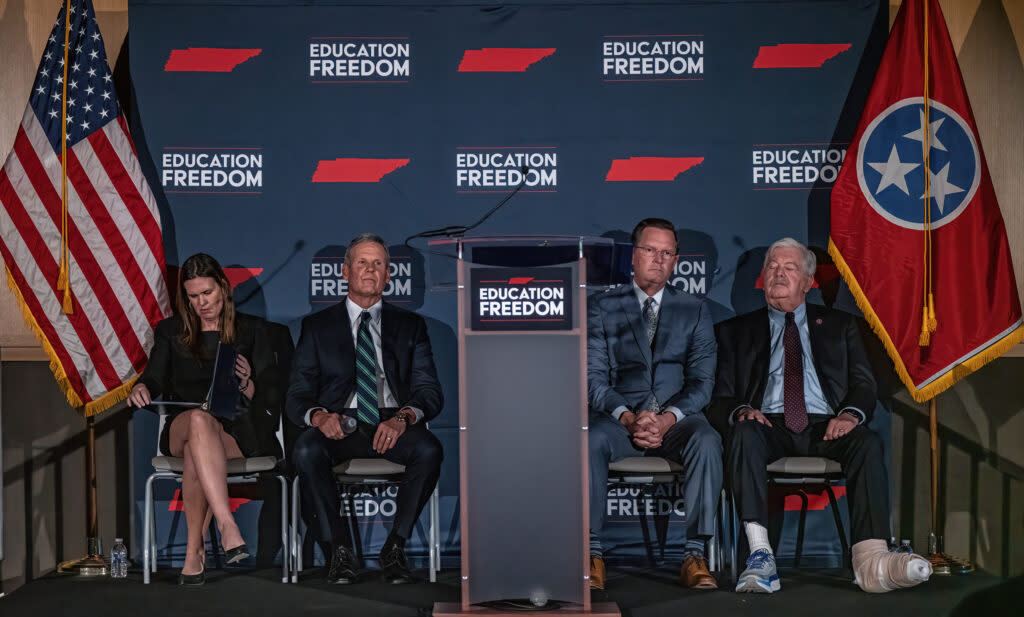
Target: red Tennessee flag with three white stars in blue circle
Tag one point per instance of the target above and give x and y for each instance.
(897, 251)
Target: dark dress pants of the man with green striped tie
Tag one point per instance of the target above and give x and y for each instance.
(315, 456)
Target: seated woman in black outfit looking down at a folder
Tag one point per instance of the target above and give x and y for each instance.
(180, 369)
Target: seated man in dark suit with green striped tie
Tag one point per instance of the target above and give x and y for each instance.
(370, 361)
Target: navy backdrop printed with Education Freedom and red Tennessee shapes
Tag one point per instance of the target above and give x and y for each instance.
(273, 133)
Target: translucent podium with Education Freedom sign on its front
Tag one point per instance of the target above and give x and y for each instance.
(523, 420)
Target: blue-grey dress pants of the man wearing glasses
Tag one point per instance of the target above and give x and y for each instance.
(692, 443)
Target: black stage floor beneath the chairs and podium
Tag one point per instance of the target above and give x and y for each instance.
(638, 593)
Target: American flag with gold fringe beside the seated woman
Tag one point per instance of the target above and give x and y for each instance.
(115, 250)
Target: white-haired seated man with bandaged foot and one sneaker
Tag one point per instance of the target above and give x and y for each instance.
(794, 380)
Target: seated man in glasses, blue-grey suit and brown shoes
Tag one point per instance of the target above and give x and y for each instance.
(651, 371)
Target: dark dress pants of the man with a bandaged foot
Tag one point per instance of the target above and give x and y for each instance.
(753, 447)
